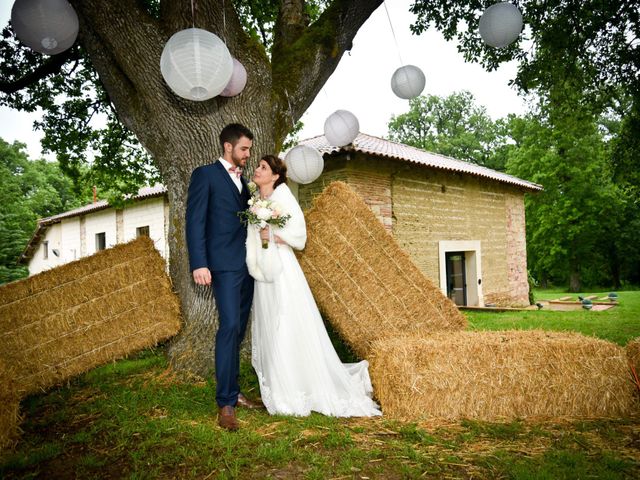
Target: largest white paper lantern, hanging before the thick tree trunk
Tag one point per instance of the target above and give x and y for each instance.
(196, 64)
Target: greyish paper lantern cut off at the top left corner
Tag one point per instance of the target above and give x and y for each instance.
(46, 26)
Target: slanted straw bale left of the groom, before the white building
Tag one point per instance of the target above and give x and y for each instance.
(65, 321)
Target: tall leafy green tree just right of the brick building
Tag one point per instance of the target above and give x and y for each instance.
(569, 224)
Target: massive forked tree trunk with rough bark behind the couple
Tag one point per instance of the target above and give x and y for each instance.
(125, 43)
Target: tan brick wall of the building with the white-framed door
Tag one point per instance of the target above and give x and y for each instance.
(422, 207)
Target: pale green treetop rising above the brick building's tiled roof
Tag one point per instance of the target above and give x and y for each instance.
(454, 126)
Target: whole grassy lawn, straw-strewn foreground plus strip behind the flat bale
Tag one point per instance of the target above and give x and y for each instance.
(132, 419)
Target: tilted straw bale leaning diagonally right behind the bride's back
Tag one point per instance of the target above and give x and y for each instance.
(362, 280)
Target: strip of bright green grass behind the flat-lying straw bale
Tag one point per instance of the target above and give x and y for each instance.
(619, 324)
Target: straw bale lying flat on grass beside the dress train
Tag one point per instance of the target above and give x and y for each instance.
(497, 375)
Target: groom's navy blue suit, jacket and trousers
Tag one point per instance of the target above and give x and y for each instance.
(216, 239)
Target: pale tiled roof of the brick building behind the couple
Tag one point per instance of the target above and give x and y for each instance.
(386, 148)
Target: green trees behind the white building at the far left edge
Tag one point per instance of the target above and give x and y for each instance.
(29, 190)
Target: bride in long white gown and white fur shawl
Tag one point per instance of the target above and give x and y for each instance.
(297, 366)
